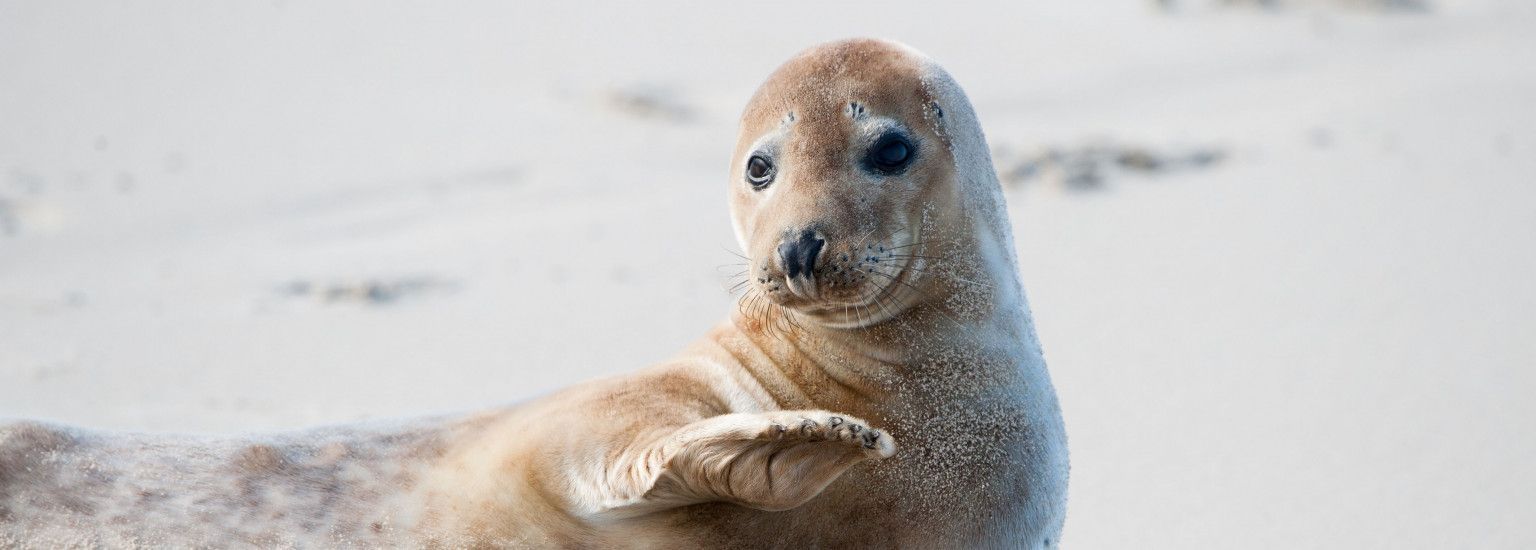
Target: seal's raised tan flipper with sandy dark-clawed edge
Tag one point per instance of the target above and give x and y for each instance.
(766, 462)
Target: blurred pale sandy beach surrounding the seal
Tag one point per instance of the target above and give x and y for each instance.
(1280, 253)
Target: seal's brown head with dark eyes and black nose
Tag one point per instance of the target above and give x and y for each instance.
(846, 181)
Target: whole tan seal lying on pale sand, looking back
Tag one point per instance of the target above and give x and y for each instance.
(881, 303)
